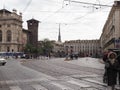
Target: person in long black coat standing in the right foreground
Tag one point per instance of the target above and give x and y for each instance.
(111, 70)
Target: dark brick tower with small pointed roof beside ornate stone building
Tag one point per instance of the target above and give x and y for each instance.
(33, 35)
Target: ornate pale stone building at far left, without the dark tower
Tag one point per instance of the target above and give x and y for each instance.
(10, 31)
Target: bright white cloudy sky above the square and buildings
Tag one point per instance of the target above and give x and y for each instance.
(77, 20)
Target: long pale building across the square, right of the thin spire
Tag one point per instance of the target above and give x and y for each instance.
(82, 47)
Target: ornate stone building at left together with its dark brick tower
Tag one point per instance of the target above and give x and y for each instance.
(13, 37)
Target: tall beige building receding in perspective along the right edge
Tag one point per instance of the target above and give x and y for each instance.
(110, 37)
